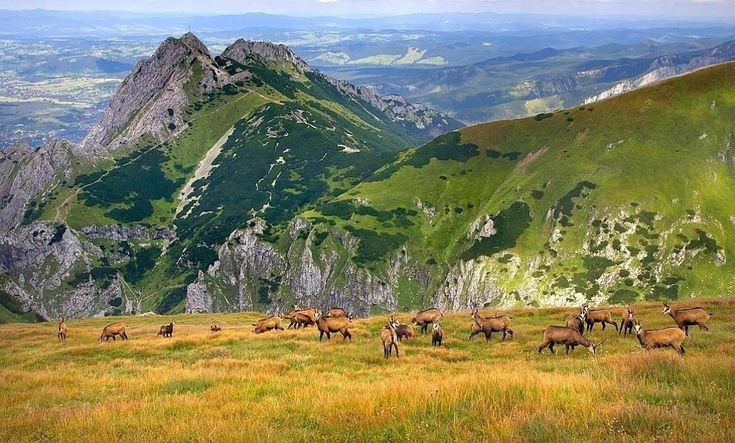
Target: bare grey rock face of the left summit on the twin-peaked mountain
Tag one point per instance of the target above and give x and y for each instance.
(150, 99)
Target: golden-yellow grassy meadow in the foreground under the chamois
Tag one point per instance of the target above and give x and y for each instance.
(286, 385)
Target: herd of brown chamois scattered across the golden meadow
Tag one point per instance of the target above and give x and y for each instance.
(571, 335)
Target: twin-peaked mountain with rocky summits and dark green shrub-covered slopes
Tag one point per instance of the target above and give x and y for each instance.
(253, 136)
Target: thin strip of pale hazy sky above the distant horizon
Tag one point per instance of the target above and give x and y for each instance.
(679, 8)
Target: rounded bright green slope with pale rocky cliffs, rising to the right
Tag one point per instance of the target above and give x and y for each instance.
(627, 199)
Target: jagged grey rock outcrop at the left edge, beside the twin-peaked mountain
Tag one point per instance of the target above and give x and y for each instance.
(25, 174)
